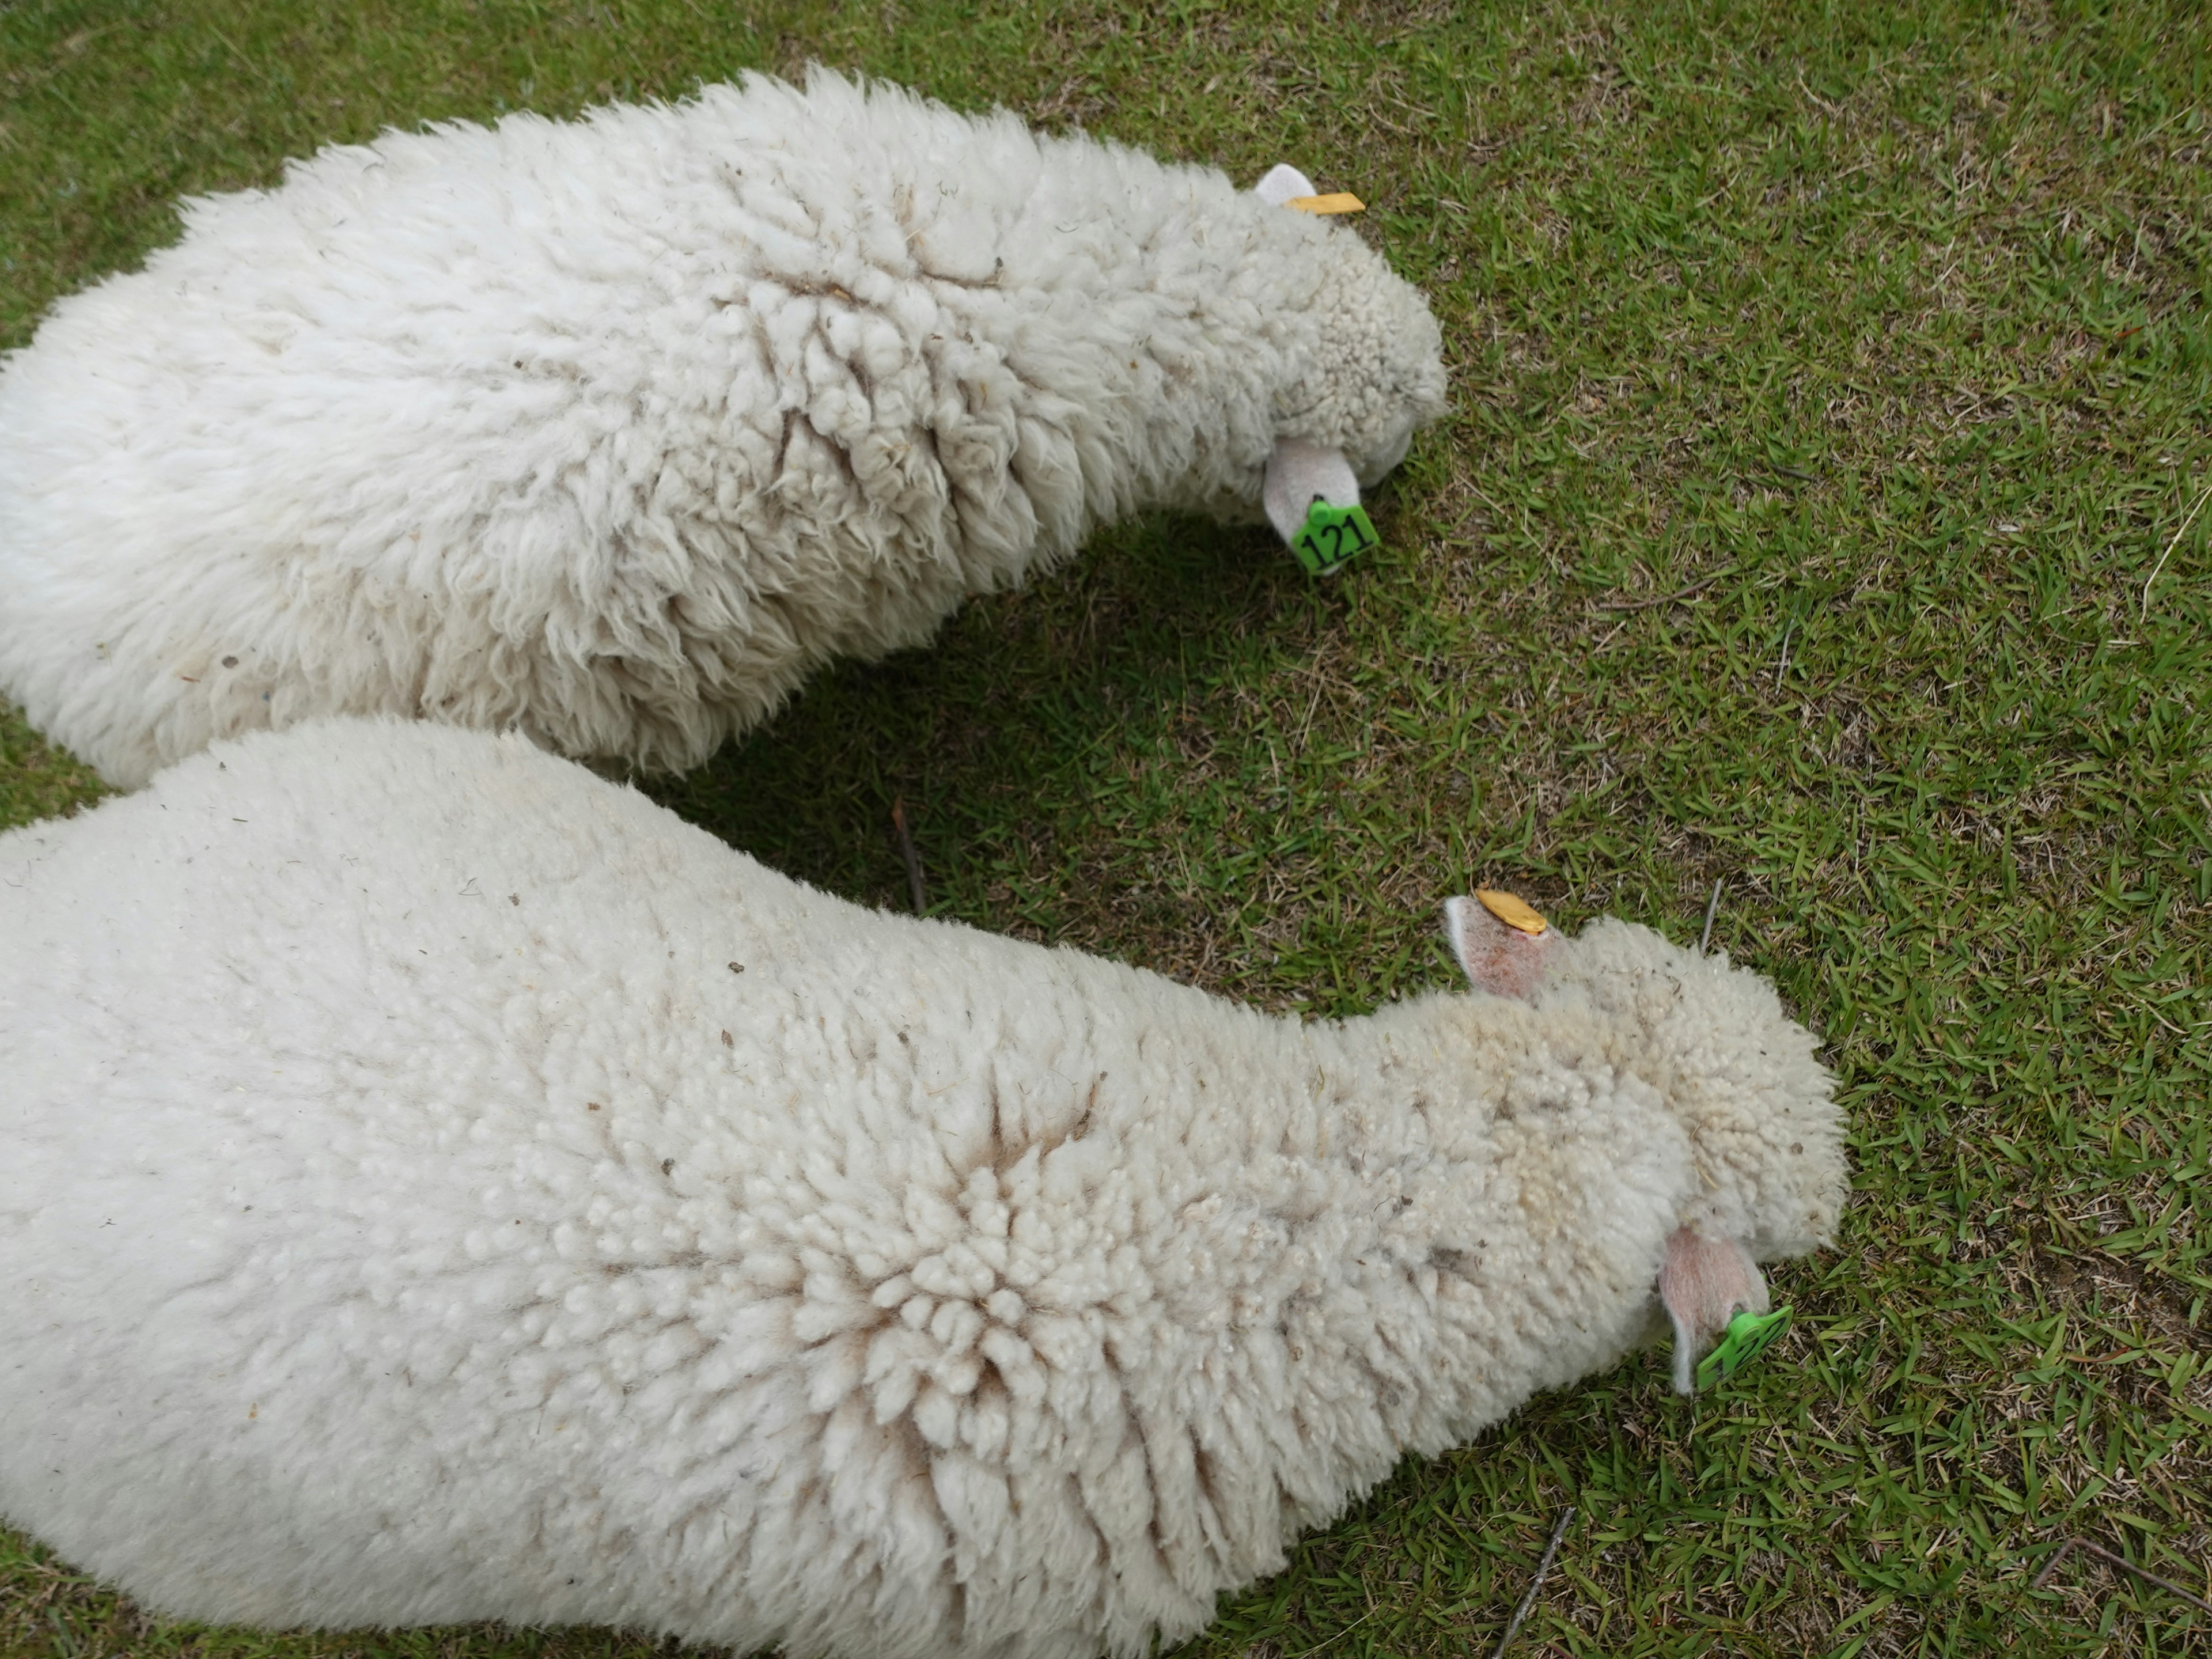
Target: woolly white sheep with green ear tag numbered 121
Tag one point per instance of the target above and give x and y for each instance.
(616, 430)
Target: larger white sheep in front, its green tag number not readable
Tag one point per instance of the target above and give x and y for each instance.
(441, 1185)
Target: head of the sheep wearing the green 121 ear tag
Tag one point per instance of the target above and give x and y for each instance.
(1375, 375)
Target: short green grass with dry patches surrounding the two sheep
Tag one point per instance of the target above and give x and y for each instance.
(1884, 322)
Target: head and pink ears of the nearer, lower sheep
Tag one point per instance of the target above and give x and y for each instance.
(1733, 1067)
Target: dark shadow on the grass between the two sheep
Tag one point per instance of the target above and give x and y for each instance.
(1023, 698)
